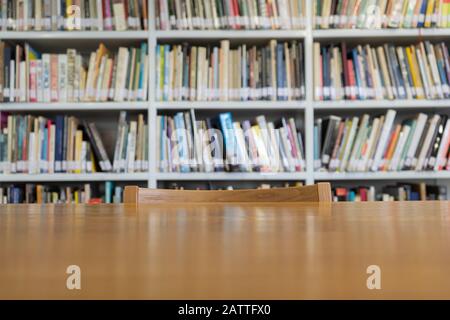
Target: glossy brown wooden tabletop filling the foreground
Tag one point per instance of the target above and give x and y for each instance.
(226, 251)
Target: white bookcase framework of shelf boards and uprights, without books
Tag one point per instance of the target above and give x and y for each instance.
(306, 108)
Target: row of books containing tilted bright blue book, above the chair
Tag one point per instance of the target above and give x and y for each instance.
(221, 144)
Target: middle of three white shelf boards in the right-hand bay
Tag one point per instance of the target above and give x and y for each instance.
(380, 104)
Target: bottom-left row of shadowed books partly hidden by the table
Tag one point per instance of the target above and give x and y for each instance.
(39, 193)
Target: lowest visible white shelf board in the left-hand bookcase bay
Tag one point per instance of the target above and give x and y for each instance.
(85, 177)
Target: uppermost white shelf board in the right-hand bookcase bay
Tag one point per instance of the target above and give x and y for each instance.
(338, 34)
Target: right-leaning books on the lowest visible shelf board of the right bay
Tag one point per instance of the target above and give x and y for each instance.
(359, 144)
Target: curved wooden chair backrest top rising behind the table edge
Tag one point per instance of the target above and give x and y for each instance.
(320, 192)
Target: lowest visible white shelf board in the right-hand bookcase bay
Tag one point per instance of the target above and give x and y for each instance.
(402, 175)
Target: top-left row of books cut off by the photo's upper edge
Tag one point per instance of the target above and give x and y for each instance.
(55, 15)
